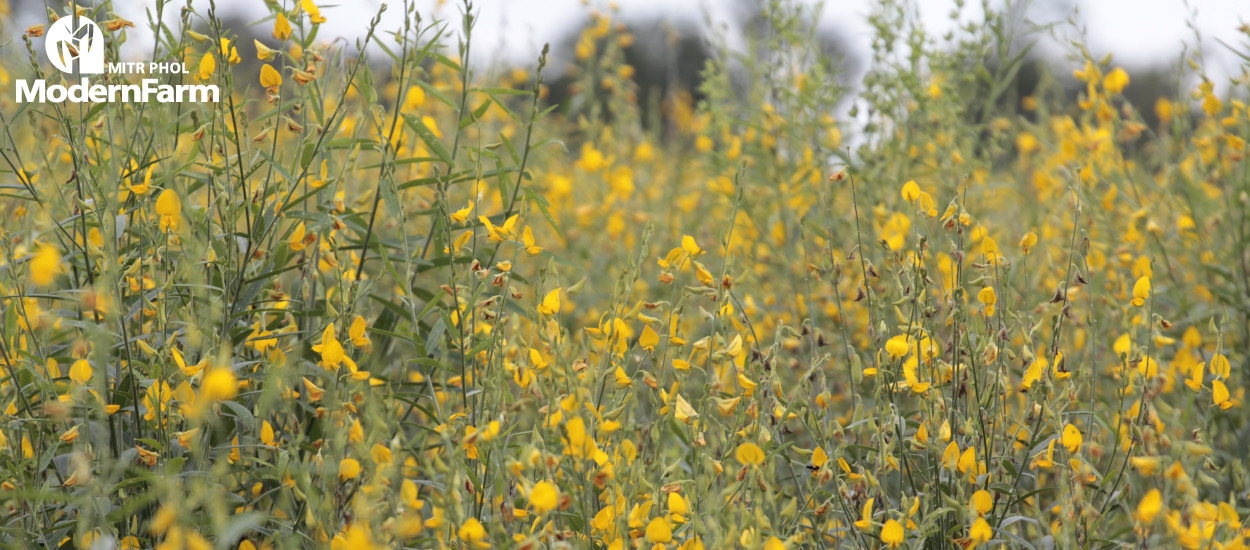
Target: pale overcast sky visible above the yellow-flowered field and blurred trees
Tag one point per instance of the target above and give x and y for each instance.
(1139, 32)
